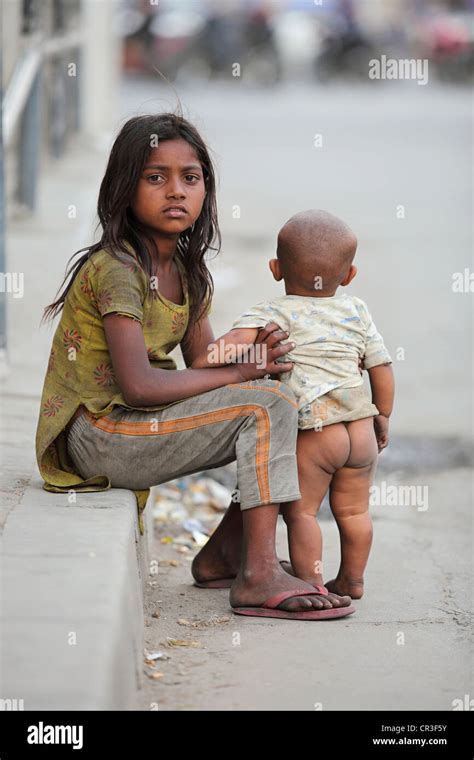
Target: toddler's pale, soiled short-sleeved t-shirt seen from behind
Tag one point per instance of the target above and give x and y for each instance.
(332, 334)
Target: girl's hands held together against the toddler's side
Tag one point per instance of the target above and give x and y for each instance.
(265, 363)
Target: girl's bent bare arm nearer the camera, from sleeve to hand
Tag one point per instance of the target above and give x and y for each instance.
(144, 385)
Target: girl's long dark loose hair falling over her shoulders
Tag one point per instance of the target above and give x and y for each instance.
(119, 225)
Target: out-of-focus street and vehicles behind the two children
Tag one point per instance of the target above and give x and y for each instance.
(281, 92)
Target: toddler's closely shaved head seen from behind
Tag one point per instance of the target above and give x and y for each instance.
(313, 244)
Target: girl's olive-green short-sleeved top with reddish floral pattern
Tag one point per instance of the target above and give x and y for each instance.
(80, 369)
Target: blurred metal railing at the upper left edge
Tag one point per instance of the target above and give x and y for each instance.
(47, 72)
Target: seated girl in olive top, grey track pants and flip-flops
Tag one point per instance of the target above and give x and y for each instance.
(115, 411)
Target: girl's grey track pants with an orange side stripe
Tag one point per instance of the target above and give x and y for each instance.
(255, 423)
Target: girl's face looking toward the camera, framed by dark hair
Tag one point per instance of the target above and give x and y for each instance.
(171, 190)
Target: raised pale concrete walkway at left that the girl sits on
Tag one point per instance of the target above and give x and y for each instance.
(72, 575)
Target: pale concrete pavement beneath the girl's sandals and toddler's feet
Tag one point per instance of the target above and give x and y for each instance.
(407, 647)
